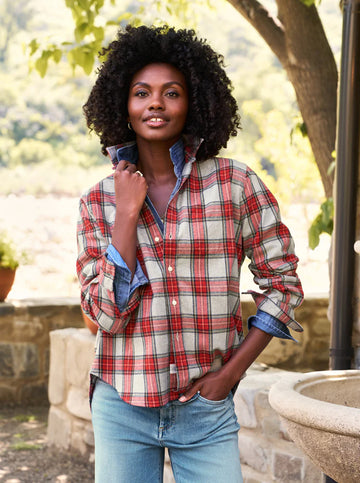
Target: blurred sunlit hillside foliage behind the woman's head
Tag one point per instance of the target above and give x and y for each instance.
(44, 143)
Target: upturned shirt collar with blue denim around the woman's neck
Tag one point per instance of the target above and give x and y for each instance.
(182, 152)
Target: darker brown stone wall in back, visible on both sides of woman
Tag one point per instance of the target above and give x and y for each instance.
(24, 343)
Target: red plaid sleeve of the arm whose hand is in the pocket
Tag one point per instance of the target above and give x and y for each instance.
(268, 243)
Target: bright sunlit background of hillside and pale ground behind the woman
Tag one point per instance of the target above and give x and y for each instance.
(47, 158)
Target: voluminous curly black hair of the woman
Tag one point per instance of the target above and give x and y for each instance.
(212, 111)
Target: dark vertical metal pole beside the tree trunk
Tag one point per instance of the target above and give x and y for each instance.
(347, 160)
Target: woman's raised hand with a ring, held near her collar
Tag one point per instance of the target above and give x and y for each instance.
(130, 189)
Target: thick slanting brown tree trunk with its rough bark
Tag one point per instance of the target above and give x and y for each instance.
(297, 38)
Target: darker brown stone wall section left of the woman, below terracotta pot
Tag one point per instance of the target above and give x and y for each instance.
(24, 346)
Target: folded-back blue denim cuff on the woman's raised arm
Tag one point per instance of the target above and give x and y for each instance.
(124, 287)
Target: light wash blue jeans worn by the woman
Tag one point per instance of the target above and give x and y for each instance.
(201, 437)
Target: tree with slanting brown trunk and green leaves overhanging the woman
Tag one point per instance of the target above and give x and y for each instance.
(295, 35)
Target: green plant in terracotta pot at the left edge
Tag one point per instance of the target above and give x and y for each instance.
(9, 261)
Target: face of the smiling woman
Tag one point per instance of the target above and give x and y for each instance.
(158, 103)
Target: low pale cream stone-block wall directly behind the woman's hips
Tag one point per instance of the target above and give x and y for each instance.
(266, 451)
